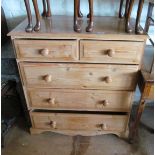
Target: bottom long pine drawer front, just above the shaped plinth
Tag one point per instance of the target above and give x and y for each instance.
(64, 121)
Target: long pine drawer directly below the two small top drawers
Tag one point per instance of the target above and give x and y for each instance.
(79, 76)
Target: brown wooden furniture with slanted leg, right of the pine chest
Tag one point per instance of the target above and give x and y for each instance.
(146, 78)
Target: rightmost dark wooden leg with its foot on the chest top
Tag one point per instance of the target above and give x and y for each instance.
(138, 29)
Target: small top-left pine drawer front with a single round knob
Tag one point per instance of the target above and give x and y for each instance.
(45, 50)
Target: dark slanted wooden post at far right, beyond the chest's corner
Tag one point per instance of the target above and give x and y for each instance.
(148, 18)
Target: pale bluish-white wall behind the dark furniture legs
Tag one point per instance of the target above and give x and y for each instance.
(15, 9)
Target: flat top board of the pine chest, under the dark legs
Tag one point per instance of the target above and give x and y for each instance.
(59, 27)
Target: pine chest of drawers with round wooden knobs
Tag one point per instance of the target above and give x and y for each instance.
(78, 83)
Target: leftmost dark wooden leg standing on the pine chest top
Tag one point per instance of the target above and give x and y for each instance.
(29, 27)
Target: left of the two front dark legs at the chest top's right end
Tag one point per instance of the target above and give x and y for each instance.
(128, 29)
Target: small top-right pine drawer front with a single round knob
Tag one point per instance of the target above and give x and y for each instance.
(111, 51)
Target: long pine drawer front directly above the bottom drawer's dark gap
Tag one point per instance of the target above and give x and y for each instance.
(98, 100)
